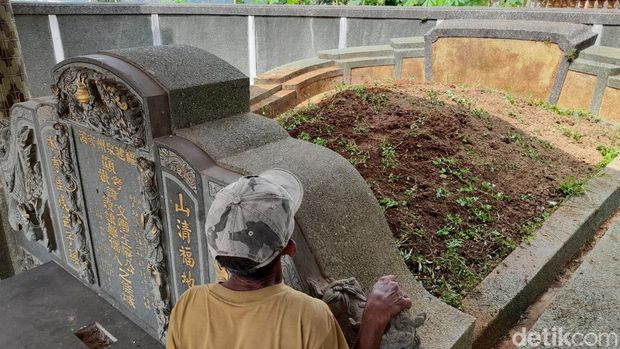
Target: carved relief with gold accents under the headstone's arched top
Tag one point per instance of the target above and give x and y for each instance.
(96, 100)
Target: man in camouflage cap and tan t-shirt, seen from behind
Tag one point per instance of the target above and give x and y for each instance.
(249, 228)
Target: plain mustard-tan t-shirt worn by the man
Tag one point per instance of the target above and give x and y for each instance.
(214, 317)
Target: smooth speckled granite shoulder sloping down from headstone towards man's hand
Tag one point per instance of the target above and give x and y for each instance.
(347, 240)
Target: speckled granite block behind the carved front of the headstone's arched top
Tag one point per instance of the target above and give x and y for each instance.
(201, 86)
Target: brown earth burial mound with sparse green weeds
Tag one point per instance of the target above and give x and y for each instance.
(464, 174)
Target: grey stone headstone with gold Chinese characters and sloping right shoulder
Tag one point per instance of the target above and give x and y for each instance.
(112, 177)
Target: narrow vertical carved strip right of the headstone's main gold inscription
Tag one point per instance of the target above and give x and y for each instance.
(153, 230)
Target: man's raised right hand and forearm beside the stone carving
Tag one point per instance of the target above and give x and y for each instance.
(384, 301)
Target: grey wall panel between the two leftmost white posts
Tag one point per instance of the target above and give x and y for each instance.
(90, 33)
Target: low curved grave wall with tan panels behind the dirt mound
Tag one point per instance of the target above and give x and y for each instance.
(553, 62)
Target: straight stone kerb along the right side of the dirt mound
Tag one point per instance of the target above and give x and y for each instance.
(500, 299)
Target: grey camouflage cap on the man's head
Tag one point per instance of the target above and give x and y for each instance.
(253, 217)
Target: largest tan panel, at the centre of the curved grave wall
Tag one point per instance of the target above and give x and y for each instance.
(526, 68)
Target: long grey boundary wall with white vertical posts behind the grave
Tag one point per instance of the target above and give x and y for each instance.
(253, 38)
